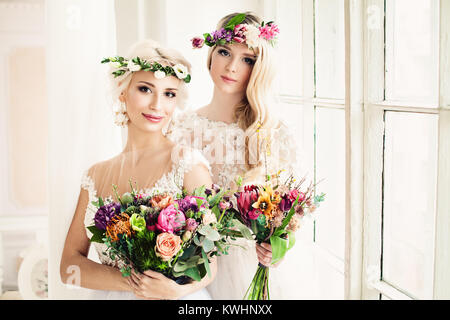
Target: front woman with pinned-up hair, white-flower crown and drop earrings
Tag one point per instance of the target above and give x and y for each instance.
(149, 83)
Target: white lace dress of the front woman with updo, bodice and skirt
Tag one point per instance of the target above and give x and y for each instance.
(171, 182)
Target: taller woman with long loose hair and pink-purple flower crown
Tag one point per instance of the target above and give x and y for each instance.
(239, 134)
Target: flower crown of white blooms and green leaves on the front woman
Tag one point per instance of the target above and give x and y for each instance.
(124, 65)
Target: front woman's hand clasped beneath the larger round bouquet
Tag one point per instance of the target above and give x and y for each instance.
(152, 285)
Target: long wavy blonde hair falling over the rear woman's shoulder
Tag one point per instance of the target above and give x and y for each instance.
(253, 113)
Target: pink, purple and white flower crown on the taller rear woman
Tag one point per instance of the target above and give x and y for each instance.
(234, 31)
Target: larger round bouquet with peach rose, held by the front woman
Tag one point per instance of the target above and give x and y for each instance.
(176, 235)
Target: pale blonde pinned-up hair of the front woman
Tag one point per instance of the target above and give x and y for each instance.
(151, 50)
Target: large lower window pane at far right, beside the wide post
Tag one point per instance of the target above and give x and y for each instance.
(410, 169)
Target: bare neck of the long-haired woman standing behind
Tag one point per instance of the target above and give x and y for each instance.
(223, 106)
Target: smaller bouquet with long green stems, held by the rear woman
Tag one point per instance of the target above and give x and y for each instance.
(273, 213)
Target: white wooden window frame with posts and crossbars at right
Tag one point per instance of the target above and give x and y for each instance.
(364, 107)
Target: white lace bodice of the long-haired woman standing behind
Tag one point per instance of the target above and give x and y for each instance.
(223, 145)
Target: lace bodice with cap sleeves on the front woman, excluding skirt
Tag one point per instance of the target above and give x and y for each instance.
(171, 182)
